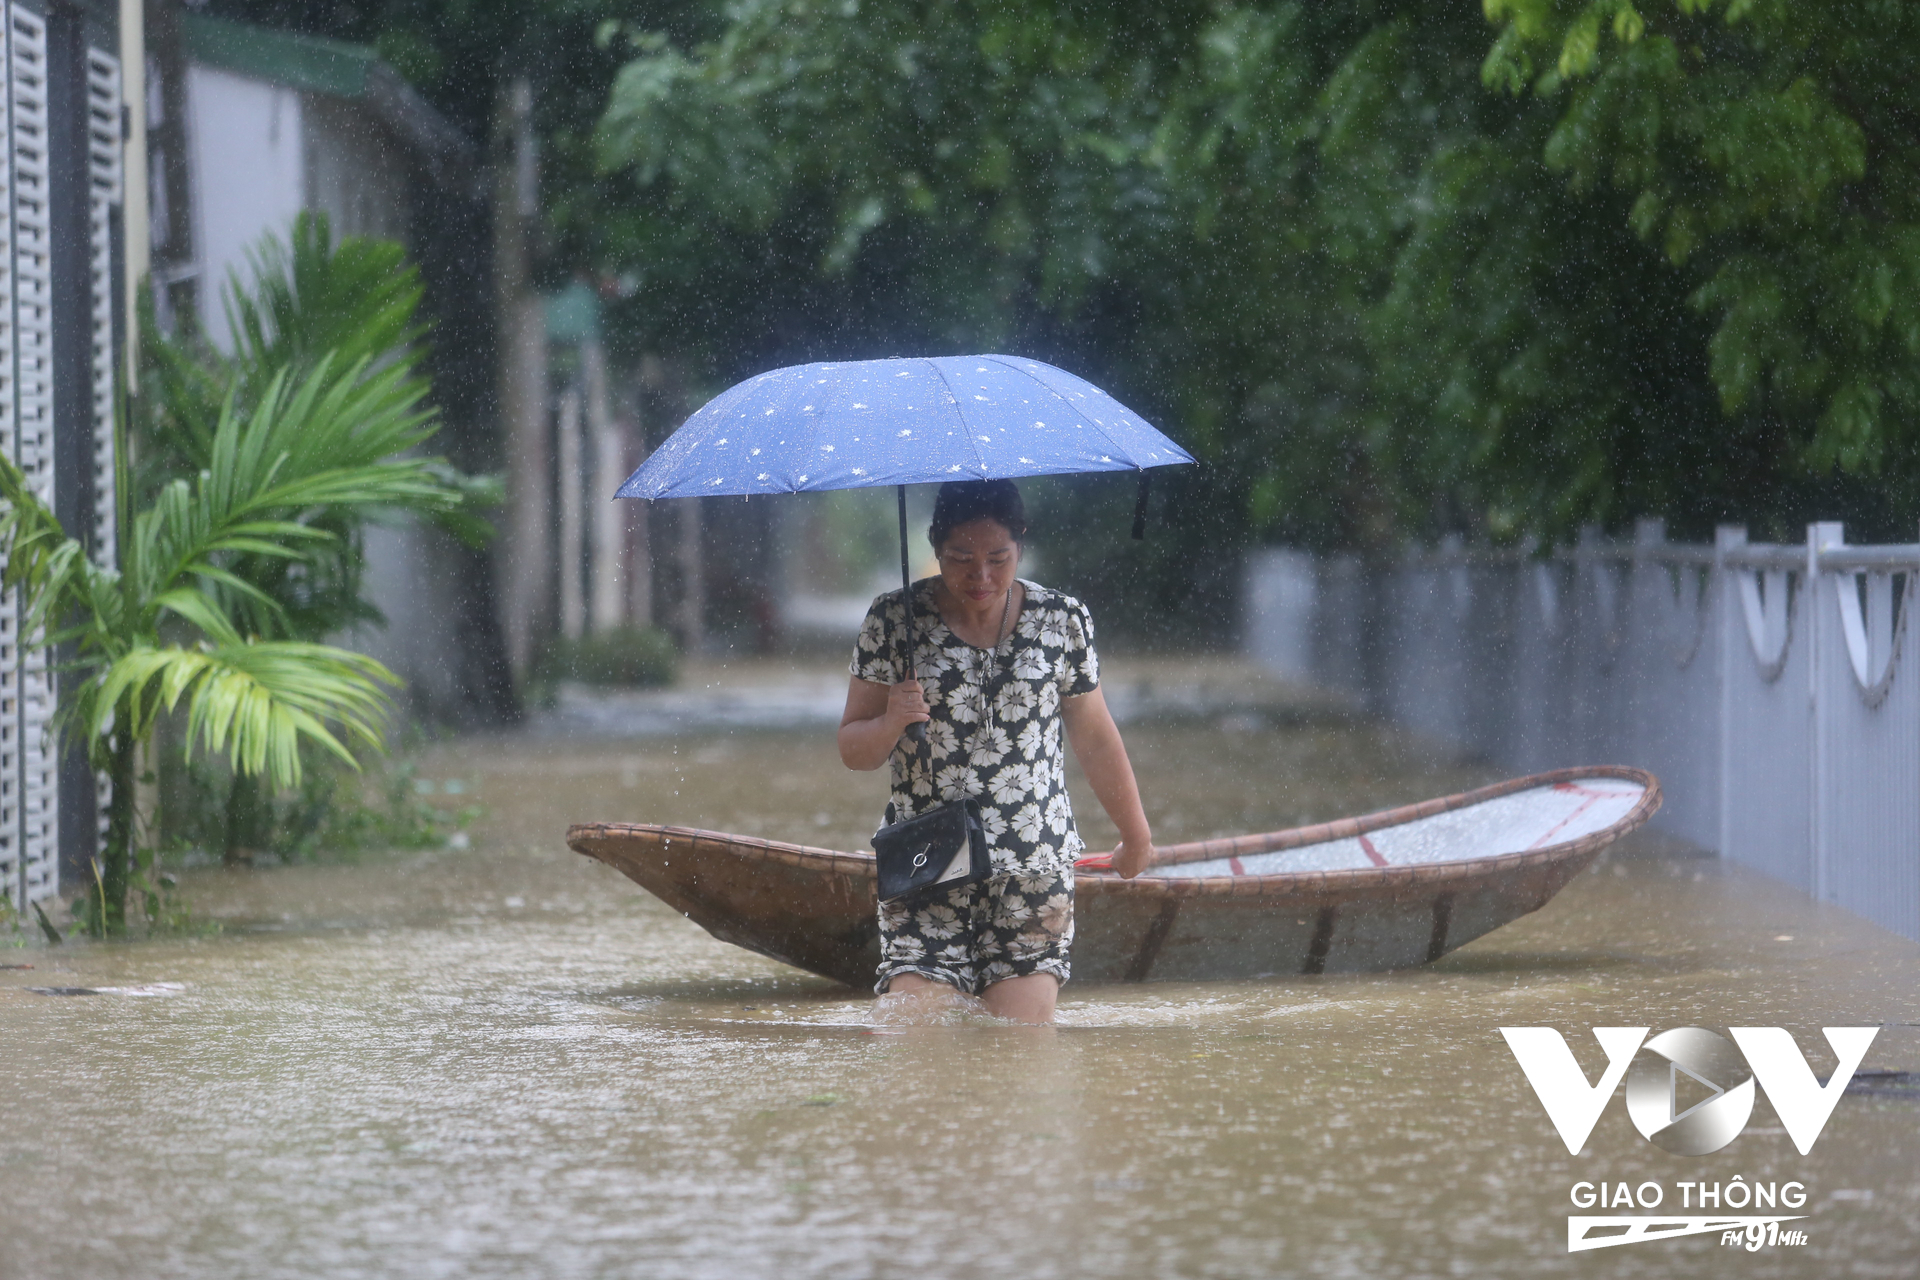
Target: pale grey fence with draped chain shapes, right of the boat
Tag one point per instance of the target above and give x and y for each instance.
(1769, 686)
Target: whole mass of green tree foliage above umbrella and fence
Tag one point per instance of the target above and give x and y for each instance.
(1383, 266)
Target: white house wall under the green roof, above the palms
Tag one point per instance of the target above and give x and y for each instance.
(249, 168)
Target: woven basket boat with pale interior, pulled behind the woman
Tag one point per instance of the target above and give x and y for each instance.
(1385, 891)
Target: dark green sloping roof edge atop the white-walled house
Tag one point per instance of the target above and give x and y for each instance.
(337, 70)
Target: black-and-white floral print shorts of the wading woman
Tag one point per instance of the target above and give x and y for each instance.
(976, 936)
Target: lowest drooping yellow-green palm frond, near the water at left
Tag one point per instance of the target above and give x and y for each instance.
(254, 701)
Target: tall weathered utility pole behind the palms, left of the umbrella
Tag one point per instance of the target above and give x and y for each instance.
(527, 554)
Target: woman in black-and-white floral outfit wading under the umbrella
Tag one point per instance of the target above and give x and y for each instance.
(1001, 667)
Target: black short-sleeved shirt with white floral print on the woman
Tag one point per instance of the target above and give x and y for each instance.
(1011, 761)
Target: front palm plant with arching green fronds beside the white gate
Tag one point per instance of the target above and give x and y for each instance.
(178, 625)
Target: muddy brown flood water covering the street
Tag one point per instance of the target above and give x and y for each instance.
(510, 1062)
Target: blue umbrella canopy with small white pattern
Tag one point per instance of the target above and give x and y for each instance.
(894, 423)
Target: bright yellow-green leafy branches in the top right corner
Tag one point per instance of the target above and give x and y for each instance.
(1769, 154)
